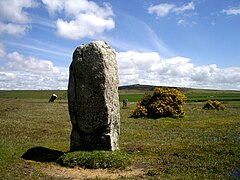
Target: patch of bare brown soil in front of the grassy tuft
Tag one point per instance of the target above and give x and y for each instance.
(80, 173)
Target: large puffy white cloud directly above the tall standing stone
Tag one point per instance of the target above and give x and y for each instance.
(82, 18)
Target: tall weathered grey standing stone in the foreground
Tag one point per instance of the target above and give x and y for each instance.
(93, 98)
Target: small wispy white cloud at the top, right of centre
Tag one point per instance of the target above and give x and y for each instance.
(164, 9)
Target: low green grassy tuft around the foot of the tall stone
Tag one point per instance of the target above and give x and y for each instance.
(95, 159)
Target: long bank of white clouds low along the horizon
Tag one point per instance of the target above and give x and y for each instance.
(26, 72)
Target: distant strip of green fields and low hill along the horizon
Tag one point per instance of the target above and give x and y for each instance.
(133, 93)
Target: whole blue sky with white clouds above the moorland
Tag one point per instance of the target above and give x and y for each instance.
(187, 43)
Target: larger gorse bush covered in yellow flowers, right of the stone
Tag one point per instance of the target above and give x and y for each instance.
(163, 103)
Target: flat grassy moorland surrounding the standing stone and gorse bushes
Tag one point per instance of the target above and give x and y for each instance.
(205, 144)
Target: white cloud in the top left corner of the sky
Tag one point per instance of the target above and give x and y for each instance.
(13, 16)
